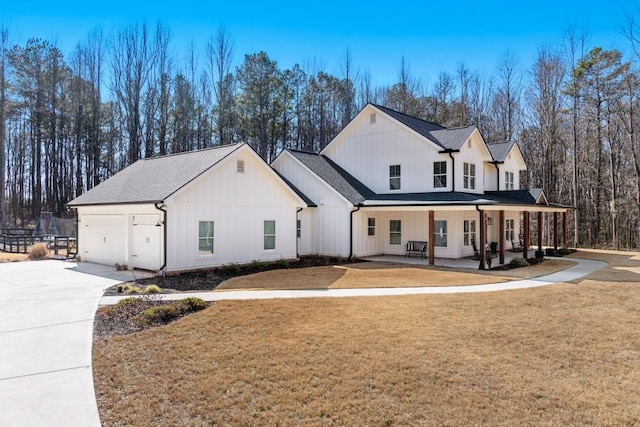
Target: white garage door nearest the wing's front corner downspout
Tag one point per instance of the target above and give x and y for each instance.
(146, 242)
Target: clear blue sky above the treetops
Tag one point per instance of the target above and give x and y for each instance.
(432, 36)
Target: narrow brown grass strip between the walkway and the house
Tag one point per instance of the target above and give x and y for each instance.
(382, 275)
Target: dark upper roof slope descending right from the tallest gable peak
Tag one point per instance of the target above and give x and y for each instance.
(451, 139)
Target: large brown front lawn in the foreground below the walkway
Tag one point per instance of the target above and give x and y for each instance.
(559, 355)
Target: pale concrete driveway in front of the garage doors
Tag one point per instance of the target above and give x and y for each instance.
(46, 330)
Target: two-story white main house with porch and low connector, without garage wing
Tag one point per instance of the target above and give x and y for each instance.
(389, 179)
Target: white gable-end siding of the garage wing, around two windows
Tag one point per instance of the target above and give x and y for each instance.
(238, 203)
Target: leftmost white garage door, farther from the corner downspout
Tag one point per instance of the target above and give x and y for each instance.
(102, 239)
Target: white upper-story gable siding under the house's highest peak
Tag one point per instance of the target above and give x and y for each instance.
(367, 150)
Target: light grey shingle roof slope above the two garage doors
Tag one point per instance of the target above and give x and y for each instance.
(154, 179)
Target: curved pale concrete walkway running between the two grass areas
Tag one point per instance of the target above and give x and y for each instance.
(583, 268)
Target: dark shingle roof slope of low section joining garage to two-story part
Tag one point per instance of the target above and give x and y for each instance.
(345, 184)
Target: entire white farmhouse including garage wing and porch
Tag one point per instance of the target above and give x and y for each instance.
(387, 184)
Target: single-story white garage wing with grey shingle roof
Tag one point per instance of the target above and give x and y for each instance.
(188, 211)
